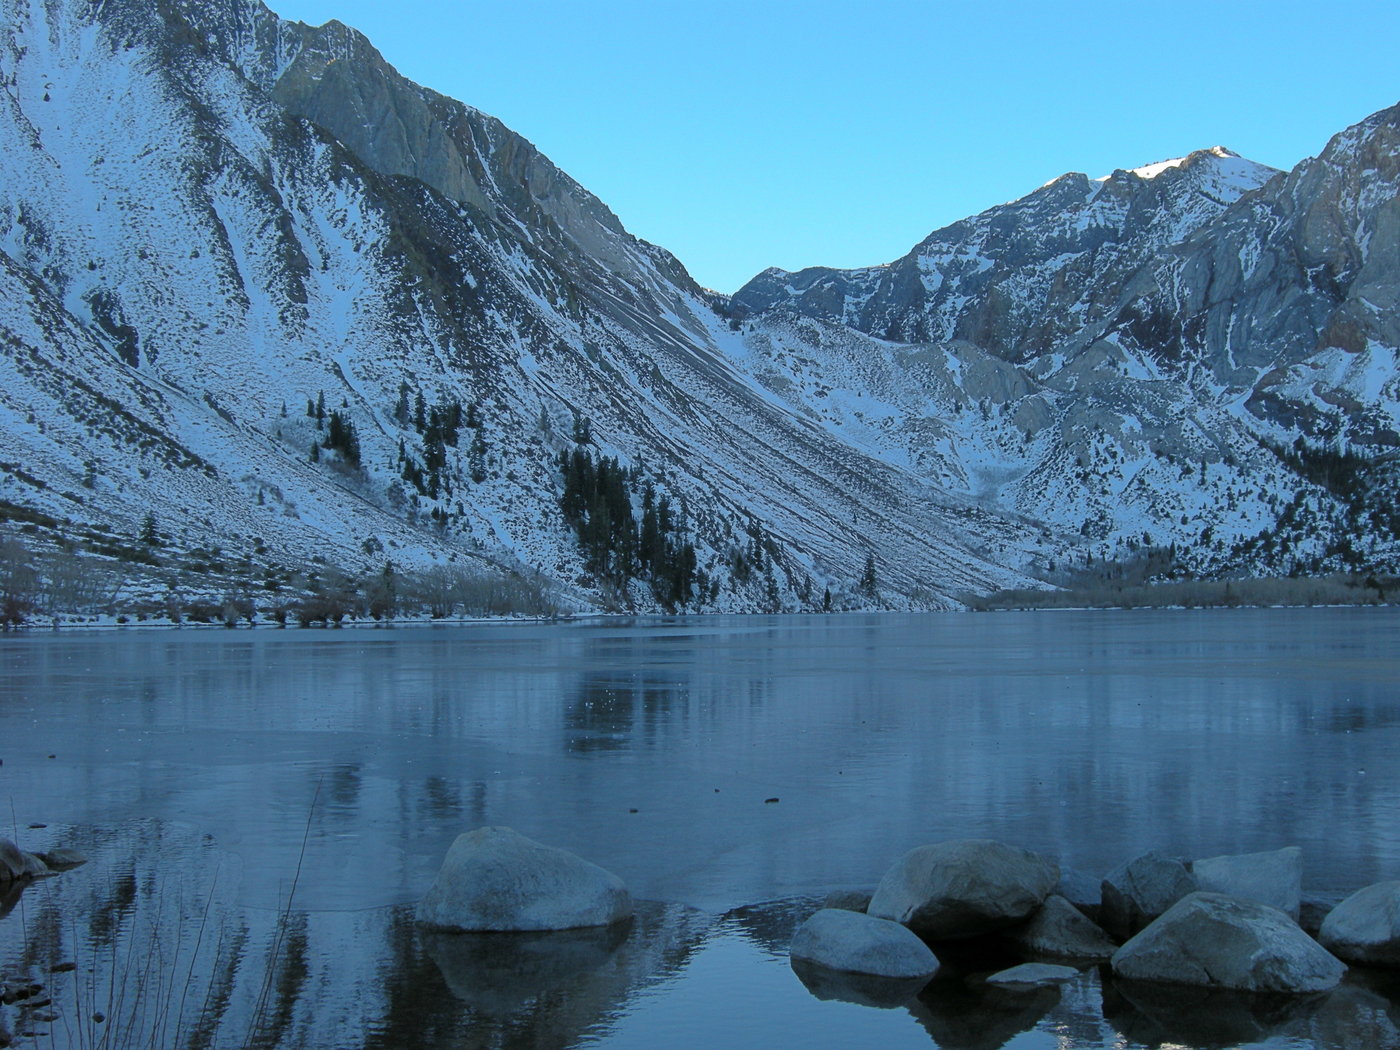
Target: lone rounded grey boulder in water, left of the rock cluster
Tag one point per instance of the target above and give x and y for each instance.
(498, 880)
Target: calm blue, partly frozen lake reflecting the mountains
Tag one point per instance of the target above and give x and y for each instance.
(731, 771)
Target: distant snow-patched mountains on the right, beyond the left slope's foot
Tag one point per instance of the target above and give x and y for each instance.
(1198, 353)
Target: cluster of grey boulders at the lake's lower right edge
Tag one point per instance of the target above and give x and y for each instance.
(1230, 923)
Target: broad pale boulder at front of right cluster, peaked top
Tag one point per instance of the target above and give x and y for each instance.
(1217, 941)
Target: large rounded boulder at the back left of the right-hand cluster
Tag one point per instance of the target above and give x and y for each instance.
(964, 888)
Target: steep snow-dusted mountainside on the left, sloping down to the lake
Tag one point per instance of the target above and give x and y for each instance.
(232, 241)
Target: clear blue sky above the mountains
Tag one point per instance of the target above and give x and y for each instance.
(752, 134)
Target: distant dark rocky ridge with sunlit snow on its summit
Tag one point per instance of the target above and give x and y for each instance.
(1020, 278)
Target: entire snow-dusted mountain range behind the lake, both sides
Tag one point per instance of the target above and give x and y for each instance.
(262, 290)
